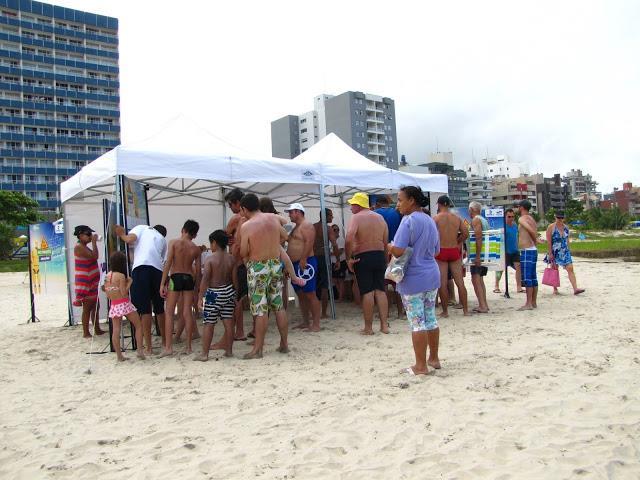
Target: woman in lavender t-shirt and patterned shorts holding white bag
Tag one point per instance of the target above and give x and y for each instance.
(421, 276)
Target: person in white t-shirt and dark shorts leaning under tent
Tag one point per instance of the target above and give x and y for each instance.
(149, 253)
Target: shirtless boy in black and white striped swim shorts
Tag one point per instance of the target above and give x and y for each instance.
(218, 289)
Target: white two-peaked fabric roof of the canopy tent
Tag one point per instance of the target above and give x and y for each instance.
(184, 159)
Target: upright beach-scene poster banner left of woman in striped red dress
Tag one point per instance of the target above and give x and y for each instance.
(48, 270)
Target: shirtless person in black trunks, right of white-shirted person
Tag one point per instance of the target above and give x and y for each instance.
(181, 256)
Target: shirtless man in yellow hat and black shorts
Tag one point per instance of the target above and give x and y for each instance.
(367, 237)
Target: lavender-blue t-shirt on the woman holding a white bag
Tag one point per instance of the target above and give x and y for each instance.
(422, 272)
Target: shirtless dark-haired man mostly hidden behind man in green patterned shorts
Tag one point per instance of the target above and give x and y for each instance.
(233, 230)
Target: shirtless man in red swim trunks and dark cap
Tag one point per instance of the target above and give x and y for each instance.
(453, 233)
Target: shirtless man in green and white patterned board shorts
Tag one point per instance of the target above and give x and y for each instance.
(260, 239)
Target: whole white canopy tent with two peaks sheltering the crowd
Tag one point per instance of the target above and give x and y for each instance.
(188, 171)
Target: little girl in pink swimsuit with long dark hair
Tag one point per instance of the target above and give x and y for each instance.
(116, 286)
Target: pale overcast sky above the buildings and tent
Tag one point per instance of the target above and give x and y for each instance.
(554, 84)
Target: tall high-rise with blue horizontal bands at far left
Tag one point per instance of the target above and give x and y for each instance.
(59, 95)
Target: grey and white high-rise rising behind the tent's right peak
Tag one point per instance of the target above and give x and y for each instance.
(364, 121)
